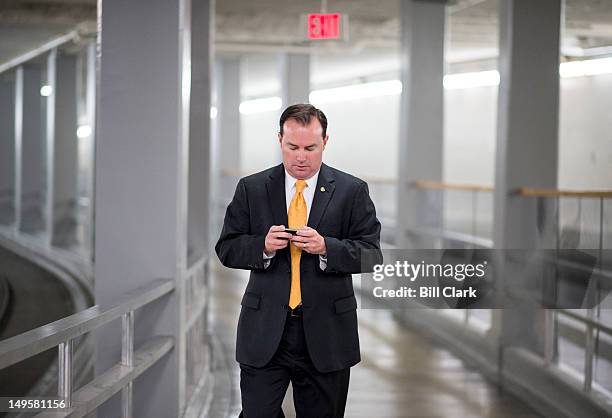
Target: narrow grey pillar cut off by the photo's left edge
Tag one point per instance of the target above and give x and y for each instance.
(7, 149)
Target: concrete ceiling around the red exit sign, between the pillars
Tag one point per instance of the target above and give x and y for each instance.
(273, 25)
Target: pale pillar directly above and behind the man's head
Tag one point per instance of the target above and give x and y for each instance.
(295, 78)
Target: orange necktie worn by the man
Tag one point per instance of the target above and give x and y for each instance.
(297, 218)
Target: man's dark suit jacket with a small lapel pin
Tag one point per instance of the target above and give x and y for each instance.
(345, 216)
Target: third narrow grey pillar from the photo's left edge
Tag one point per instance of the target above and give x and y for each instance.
(63, 154)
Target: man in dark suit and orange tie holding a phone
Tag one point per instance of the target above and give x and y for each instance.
(298, 320)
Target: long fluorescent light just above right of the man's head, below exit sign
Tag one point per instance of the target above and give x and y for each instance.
(355, 92)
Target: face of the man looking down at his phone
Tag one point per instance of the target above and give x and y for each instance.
(302, 148)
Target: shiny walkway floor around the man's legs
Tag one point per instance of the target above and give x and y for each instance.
(401, 374)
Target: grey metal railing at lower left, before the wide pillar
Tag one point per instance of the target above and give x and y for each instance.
(62, 333)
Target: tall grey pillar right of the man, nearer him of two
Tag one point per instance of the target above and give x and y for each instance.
(421, 120)
